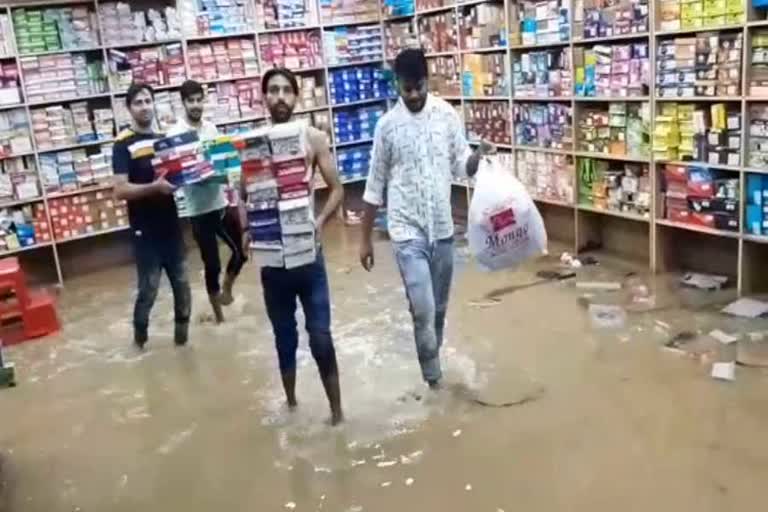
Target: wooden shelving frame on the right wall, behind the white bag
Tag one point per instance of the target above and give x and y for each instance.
(650, 239)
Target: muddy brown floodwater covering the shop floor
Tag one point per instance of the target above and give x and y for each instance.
(609, 421)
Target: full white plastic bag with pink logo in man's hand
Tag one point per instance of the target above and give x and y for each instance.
(505, 228)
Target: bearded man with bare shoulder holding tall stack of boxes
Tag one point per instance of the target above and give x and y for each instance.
(308, 283)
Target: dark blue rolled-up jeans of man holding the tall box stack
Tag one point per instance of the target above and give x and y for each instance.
(308, 284)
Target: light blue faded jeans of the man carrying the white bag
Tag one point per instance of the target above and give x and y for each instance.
(427, 270)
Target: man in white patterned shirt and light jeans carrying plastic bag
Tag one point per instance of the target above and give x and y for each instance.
(419, 147)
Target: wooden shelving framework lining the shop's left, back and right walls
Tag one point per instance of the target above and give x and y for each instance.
(659, 243)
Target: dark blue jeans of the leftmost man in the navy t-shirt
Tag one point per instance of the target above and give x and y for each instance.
(153, 255)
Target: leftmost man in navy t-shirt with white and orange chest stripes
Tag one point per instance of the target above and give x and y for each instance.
(157, 236)
